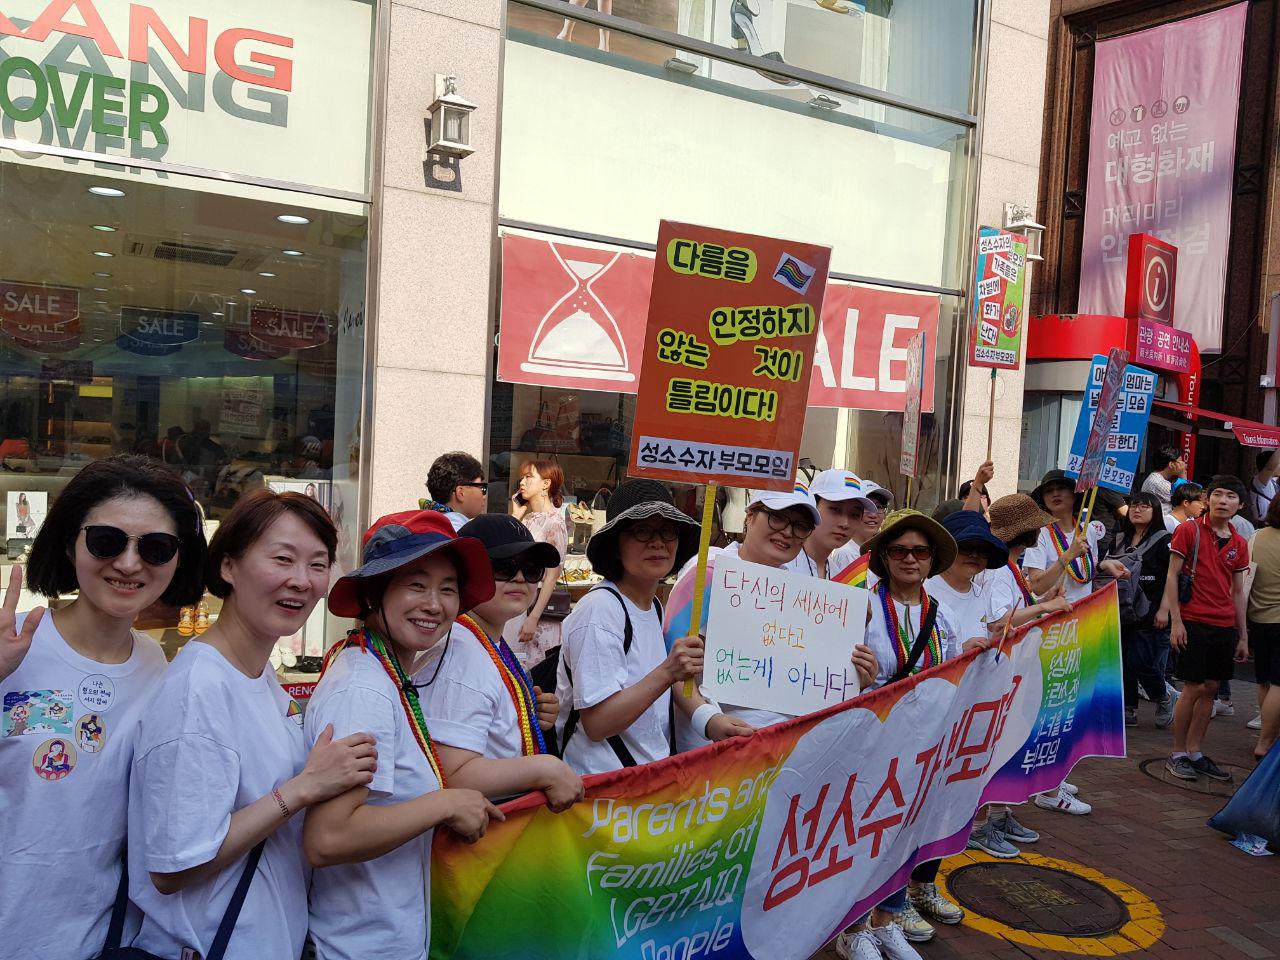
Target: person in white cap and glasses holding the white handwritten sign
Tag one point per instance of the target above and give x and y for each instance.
(778, 525)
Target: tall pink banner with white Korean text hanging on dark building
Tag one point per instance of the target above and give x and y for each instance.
(1162, 162)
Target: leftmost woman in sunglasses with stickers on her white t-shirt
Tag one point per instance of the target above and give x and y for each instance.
(122, 536)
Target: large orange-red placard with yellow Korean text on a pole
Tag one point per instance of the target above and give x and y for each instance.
(728, 358)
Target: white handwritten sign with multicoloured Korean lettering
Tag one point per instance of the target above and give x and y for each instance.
(780, 641)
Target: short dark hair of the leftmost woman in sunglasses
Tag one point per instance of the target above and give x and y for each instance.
(52, 572)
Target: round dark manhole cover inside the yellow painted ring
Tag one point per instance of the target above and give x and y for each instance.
(1039, 899)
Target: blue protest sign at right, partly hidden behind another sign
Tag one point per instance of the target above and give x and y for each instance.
(1118, 465)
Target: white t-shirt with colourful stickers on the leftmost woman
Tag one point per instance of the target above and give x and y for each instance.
(63, 810)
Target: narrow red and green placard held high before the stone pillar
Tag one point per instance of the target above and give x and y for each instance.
(996, 319)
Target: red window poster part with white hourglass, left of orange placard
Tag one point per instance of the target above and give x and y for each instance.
(572, 316)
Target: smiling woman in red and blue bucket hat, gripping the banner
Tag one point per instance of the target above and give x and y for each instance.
(372, 844)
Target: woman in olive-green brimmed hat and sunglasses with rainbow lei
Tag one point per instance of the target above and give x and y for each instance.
(909, 548)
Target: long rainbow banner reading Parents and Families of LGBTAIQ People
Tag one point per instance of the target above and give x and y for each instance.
(769, 847)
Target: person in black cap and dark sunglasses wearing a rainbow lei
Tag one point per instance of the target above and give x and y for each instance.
(481, 706)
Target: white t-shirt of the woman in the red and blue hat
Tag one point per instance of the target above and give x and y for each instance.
(378, 908)
